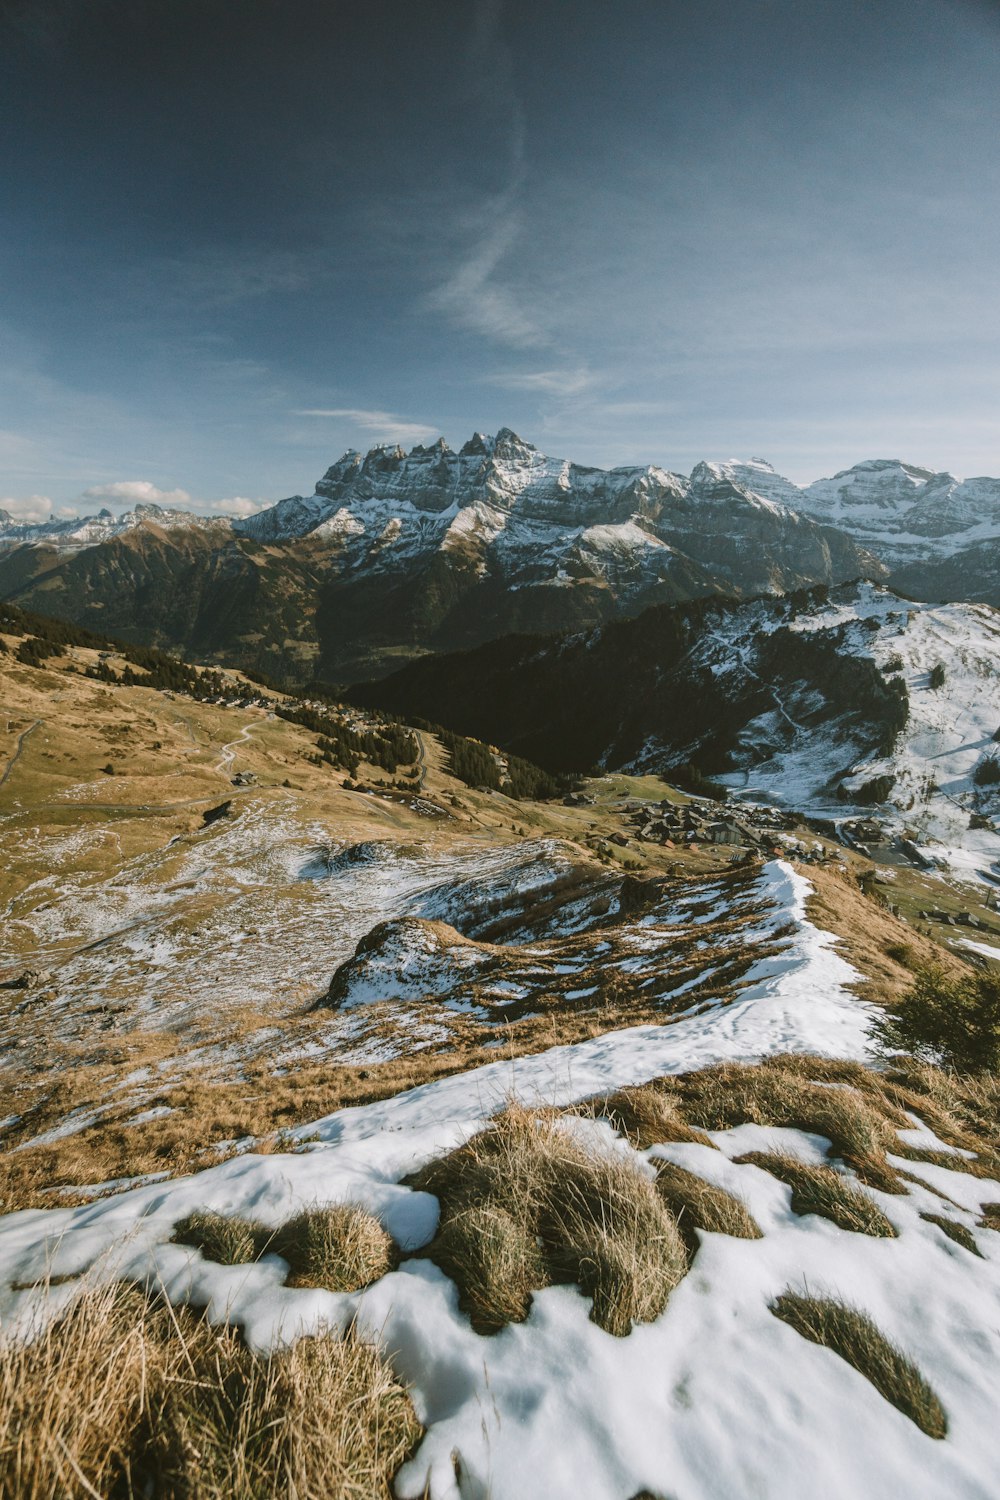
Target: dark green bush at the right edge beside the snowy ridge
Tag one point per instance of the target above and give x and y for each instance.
(951, 1019)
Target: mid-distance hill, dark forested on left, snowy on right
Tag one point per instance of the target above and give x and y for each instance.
(822, 701)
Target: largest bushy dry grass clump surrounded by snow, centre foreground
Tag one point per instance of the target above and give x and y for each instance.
(527, 1204)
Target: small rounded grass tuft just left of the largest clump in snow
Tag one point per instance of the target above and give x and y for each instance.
(341, 1249)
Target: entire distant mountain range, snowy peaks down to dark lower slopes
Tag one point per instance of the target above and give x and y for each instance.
(398, 554)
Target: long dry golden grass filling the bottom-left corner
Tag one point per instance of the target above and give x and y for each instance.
(125, 1399)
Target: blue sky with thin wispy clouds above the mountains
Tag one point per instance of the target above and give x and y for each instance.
(242, 236)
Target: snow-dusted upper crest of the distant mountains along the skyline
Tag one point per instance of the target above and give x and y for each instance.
(494, 484)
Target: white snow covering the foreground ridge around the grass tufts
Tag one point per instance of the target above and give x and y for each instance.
(714, 1400)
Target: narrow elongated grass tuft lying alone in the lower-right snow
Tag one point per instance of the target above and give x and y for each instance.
(852, 1334)
